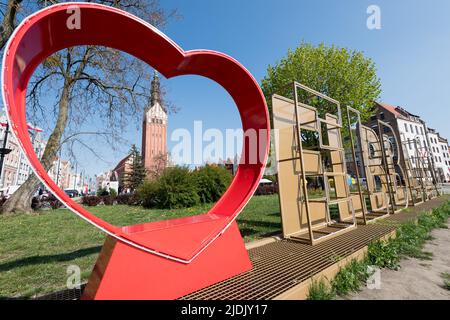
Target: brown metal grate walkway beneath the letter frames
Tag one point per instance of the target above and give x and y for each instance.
(281, 265)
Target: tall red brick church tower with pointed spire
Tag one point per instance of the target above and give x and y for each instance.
(154, 130)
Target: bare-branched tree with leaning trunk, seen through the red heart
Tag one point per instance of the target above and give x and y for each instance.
(92, 84)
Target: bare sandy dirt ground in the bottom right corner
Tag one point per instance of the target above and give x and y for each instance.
(416, 279)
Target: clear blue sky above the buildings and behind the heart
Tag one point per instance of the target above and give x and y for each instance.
(411, 51)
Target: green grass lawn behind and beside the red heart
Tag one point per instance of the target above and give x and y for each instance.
(35, 250)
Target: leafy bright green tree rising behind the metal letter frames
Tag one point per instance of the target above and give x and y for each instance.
(343, 74)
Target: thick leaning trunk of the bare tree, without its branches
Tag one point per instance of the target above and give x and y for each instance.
(20, 201)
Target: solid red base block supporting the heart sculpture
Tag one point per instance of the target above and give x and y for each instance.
(124, 272)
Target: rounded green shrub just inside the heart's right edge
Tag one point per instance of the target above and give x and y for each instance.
(211, 182)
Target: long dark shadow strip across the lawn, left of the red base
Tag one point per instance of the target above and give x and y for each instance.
(49, 258)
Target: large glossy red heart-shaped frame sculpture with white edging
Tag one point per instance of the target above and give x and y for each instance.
(46, 32)
